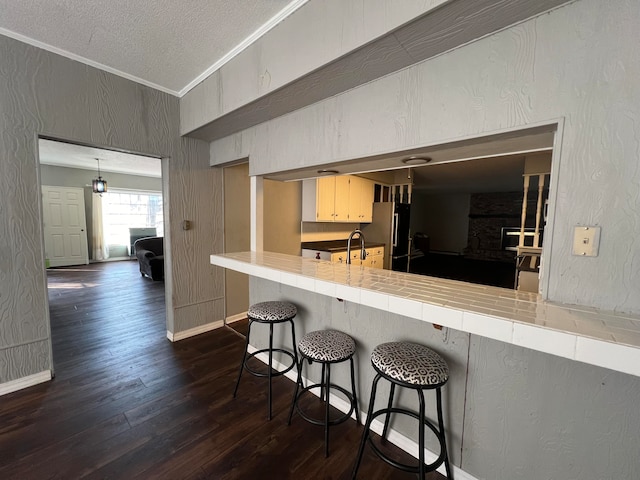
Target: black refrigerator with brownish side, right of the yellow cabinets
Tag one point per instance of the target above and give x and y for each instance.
(390, 225)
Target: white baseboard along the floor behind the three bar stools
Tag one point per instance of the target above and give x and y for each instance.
(393, 436)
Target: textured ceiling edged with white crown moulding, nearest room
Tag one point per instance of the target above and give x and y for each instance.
(166, 44)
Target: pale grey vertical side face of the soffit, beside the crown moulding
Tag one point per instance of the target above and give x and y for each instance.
(328, 30)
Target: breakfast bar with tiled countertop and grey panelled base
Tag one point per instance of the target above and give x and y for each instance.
(521, 370)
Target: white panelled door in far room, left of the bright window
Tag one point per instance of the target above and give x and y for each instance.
(65, 226)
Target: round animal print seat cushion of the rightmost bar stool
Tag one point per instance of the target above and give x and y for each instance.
(410, 363)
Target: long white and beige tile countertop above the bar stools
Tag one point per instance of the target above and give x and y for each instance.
(584, 334)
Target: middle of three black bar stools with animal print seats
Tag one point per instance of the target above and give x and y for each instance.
(326, 347)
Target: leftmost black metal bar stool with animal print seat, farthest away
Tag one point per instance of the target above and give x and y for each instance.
(271, 313)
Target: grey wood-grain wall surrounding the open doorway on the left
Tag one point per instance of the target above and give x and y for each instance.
(42, 93)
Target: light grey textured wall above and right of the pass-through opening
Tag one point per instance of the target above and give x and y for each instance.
(577, 63)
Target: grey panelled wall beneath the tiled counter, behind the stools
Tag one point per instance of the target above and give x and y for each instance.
(511, 413)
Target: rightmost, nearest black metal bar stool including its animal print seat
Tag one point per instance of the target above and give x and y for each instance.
(419, 368)
